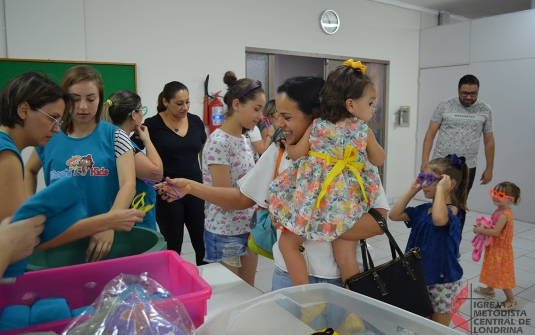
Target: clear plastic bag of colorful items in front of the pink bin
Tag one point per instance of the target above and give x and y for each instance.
(134, 305)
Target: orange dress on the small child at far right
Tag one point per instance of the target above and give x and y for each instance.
(498, 269)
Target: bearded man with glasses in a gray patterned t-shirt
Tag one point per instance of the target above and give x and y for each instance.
(460, 123)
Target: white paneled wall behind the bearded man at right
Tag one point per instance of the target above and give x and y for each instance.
(501, 53)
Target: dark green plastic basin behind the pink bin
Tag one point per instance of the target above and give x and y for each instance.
(137, 241)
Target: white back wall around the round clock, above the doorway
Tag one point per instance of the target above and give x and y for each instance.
(186, 40)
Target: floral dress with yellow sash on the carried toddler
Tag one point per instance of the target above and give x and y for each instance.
(320, 196)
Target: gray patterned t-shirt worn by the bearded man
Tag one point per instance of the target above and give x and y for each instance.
(461, 128)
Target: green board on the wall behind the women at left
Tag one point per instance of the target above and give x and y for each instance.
(116, 76)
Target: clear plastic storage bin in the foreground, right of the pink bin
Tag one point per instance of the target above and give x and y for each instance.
(309, 308)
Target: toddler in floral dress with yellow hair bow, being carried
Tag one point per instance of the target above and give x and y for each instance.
(323, 193)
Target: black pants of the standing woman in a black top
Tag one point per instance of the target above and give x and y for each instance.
(171, 217)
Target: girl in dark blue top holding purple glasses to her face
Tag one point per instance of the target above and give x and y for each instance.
(436, 228)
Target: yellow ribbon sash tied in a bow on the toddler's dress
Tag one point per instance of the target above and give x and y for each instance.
(350, 155)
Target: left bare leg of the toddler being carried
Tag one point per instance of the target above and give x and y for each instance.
(289, 244)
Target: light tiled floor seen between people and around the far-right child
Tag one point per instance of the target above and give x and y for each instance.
(475, 310)
